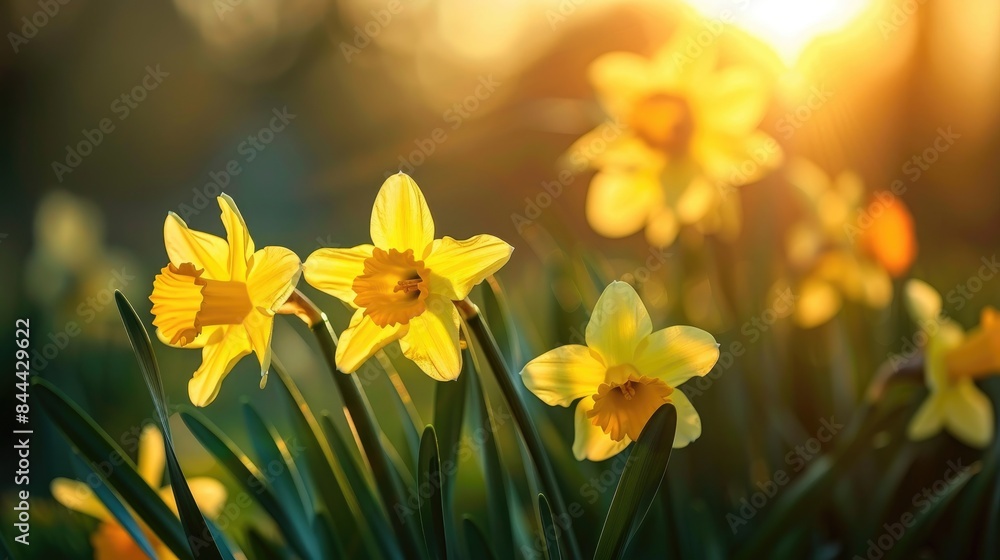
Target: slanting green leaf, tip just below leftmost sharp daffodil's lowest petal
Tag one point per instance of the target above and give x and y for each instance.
(252, 480)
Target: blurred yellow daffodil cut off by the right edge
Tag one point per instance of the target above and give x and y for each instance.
(952, 360)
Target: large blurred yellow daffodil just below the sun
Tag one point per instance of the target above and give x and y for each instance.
(681, 135)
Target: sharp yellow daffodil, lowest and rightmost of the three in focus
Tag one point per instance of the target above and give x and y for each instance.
(624, 373)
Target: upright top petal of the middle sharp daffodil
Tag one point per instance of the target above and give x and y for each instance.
(401, 219)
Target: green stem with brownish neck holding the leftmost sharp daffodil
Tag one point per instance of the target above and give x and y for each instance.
(361, 415)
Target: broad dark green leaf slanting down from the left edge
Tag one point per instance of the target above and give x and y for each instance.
(110, 462)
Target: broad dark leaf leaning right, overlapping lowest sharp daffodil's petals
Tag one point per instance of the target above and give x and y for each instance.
(641, 478)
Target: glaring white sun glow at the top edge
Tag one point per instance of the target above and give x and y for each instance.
(787, 25)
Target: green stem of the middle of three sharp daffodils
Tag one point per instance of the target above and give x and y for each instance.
(529, 434)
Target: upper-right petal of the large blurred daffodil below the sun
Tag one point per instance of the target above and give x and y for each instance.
(733, 100)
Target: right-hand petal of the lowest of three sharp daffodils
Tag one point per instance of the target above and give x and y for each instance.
(676, 354)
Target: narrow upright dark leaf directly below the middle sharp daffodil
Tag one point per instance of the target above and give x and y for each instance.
(430, 477)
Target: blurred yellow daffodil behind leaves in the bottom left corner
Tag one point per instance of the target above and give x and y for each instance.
(111, 541)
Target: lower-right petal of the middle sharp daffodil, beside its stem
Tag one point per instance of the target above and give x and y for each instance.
(432, 340)
